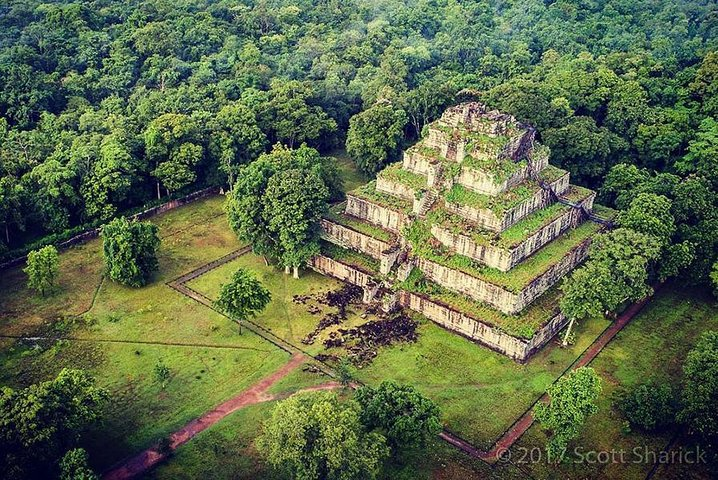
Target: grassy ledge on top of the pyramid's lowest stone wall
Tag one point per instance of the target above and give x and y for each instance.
(522, 325)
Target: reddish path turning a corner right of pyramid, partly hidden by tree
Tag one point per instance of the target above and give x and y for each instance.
(504, 443)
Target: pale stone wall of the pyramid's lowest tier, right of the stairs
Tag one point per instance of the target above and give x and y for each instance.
(519, 349)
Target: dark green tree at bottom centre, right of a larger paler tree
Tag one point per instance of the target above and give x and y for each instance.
(406, 417)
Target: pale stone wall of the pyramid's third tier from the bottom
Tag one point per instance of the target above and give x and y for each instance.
(502, 258)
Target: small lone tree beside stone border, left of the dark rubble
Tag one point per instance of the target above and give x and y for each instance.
(243, 297)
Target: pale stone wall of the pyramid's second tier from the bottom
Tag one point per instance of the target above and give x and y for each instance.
(499, 297)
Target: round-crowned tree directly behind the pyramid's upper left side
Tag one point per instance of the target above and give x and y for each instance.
(374, 136)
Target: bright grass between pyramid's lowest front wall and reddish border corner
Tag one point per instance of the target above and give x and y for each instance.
(480, 392)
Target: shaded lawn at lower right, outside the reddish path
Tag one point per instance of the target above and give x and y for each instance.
(653, 345)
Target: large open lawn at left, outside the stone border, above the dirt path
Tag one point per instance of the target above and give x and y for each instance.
(140, 411)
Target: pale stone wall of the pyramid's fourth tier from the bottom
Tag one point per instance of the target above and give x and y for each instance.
(486, 218)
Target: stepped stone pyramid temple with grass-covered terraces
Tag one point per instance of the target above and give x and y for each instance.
(474, 230)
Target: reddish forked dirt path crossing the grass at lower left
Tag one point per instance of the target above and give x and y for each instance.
(257, 393)
